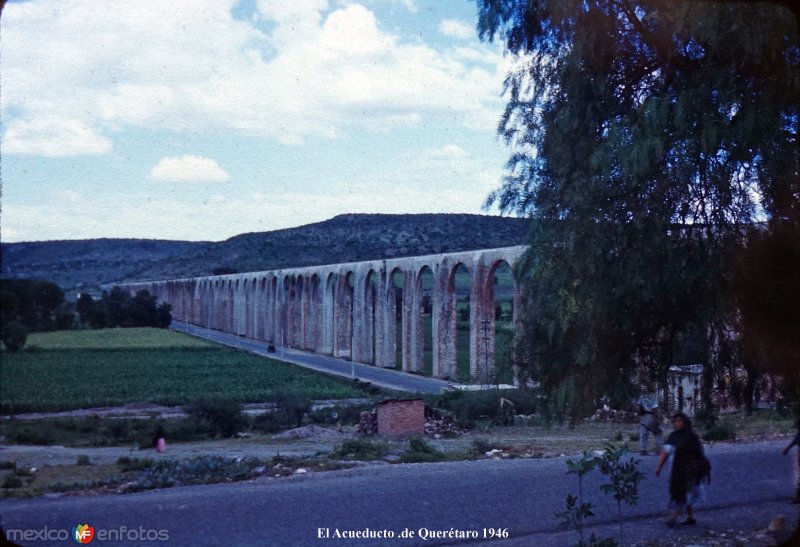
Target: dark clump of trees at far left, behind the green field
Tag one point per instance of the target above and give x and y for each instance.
(32, 305)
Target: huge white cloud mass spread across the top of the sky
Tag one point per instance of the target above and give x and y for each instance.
(188, 65)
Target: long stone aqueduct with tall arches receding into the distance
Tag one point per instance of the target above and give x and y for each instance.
(350, 310)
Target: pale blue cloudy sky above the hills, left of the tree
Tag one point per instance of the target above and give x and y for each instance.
(204, 119)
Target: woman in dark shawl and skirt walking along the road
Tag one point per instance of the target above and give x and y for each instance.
(690, 469)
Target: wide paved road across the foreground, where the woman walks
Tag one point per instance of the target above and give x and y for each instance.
(750, 485)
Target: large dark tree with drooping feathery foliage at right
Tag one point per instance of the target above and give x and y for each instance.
(647, 137)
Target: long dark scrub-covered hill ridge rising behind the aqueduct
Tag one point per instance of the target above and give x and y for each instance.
(88, 264)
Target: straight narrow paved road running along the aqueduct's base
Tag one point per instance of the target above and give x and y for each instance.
(388, 378)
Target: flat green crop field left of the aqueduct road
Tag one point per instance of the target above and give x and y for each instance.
(81, 369)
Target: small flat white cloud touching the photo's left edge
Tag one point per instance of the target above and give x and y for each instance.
(54, 137)
